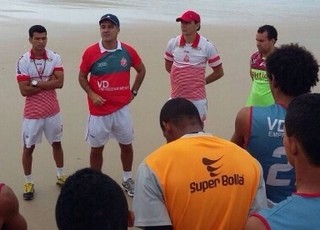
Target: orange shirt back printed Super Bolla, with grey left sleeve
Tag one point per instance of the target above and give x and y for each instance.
(201, 179)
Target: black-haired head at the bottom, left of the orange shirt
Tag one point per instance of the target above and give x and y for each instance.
(91, 200)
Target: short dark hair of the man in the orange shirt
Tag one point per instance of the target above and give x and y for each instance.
(177, 109)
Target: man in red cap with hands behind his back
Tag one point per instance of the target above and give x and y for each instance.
(186, 57)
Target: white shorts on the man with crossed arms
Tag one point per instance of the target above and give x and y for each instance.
(32, 130)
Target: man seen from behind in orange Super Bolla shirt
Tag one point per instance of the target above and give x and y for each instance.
(196, 181)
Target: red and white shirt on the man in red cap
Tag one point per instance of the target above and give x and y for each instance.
(189, 64)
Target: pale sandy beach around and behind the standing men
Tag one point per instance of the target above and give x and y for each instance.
(226, 96)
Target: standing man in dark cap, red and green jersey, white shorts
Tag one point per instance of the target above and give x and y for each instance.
(109, 62)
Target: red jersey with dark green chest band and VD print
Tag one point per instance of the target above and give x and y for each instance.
(110, 75)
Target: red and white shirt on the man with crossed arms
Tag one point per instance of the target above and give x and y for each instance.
(45, 103)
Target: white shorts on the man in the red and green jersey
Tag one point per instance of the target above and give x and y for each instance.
(116, 125)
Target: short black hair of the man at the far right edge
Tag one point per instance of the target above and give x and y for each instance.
(303, 122)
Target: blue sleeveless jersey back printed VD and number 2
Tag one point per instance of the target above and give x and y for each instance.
(266, 145)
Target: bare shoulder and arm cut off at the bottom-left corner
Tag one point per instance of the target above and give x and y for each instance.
(10, 216)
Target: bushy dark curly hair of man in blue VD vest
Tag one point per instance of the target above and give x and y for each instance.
(294, 69)
